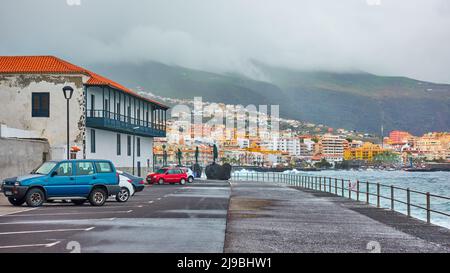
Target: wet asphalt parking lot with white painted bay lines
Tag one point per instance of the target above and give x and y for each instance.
(162, 218)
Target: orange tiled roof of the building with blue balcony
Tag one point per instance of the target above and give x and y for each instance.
(51, 65)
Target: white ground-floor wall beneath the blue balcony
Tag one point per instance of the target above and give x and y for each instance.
(106, 148)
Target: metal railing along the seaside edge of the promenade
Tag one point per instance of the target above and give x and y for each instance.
(364, 191)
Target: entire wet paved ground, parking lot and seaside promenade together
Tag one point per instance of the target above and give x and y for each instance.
(217, 216)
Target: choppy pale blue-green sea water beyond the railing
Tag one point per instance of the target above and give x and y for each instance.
(436, 183)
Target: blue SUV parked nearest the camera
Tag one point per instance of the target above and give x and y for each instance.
(75, 180)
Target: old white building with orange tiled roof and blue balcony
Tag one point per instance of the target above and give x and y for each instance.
(105, 116)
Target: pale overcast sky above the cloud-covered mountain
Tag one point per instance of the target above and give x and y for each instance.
(387, 37)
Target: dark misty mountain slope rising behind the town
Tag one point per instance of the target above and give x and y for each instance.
(357, 101)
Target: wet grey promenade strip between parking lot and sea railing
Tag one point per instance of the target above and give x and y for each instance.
(270, 218)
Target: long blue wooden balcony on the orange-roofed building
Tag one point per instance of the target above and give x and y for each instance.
(110, 121)
